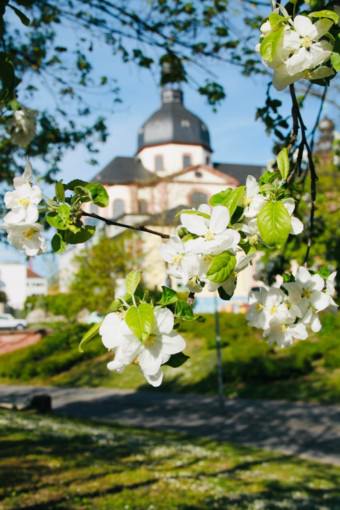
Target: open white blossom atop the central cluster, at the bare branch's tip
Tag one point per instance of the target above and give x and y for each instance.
(211, 230)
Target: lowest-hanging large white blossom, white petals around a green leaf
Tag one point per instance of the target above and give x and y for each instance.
(150, 354)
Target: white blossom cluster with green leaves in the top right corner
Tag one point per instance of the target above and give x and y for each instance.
(297, 48)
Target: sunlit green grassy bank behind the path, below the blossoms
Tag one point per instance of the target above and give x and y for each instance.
(309, 370)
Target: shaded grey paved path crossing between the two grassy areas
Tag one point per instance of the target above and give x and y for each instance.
(309, 430)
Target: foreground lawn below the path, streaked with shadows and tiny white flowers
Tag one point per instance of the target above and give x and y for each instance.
(49, 463)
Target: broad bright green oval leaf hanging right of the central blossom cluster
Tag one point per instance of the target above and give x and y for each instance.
(274, 223)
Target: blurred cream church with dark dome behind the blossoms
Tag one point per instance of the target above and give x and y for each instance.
(172, 169)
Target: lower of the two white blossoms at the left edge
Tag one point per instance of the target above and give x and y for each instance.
(26, 237)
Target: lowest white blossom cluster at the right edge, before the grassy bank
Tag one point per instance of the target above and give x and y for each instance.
(288, 310)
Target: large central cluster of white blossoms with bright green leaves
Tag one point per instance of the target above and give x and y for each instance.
(215, 242)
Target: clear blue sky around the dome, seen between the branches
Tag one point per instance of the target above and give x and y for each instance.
(235, 135)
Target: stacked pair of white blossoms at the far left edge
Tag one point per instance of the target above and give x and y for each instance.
(21, 222)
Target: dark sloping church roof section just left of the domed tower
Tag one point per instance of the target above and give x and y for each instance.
(124, 170)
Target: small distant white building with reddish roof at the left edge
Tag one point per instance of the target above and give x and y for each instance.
(18, 282)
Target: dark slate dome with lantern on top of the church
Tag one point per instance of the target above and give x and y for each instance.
(173, 123)
